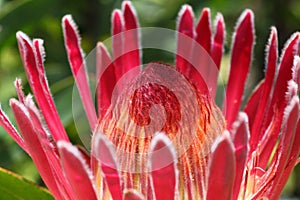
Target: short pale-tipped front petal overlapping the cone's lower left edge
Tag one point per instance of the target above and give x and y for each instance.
(104, 152)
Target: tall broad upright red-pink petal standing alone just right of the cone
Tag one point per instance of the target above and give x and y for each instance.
(241, 56)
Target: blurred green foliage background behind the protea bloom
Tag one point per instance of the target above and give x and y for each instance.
(42, 18)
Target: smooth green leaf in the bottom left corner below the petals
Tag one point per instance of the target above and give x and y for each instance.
(13, 187)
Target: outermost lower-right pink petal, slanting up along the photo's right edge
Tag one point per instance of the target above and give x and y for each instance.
(284, 158)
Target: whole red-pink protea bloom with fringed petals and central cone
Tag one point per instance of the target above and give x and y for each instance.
(158, 142)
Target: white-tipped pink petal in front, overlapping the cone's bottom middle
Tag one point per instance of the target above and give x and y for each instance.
(163, 168)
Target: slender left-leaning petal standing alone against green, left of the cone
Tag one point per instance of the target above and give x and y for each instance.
(77, 63)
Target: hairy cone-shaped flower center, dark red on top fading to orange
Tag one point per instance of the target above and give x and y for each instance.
(160, 99)
